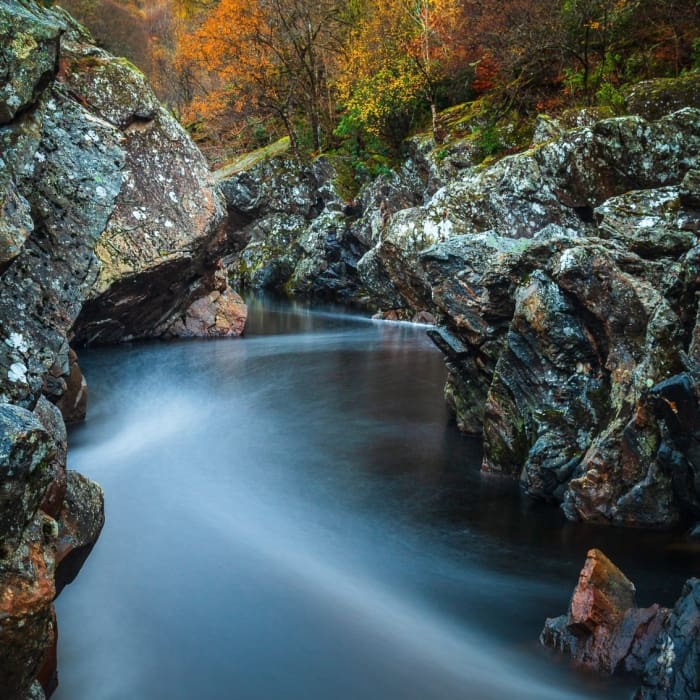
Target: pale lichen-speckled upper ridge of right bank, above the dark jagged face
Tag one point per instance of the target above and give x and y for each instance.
(555, 184)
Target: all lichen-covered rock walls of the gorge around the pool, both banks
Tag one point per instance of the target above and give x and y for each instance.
(562, 280)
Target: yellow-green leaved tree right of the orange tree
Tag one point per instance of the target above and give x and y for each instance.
(398, 52)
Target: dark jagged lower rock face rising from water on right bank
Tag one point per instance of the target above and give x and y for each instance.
(555, 346)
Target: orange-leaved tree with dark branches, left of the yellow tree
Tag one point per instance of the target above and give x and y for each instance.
(266, 58)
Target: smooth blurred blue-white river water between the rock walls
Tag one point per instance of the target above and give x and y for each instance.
(292, 515)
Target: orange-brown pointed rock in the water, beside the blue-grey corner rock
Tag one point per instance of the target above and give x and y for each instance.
(603, 629)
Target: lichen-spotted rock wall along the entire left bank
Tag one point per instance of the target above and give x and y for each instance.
(110, 228)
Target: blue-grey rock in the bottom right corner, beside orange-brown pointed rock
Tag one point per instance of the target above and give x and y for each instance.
(672, 671)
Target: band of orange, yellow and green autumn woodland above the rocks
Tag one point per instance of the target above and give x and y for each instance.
(363, 74)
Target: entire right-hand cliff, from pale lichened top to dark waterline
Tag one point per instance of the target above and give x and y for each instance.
(573, 312)
